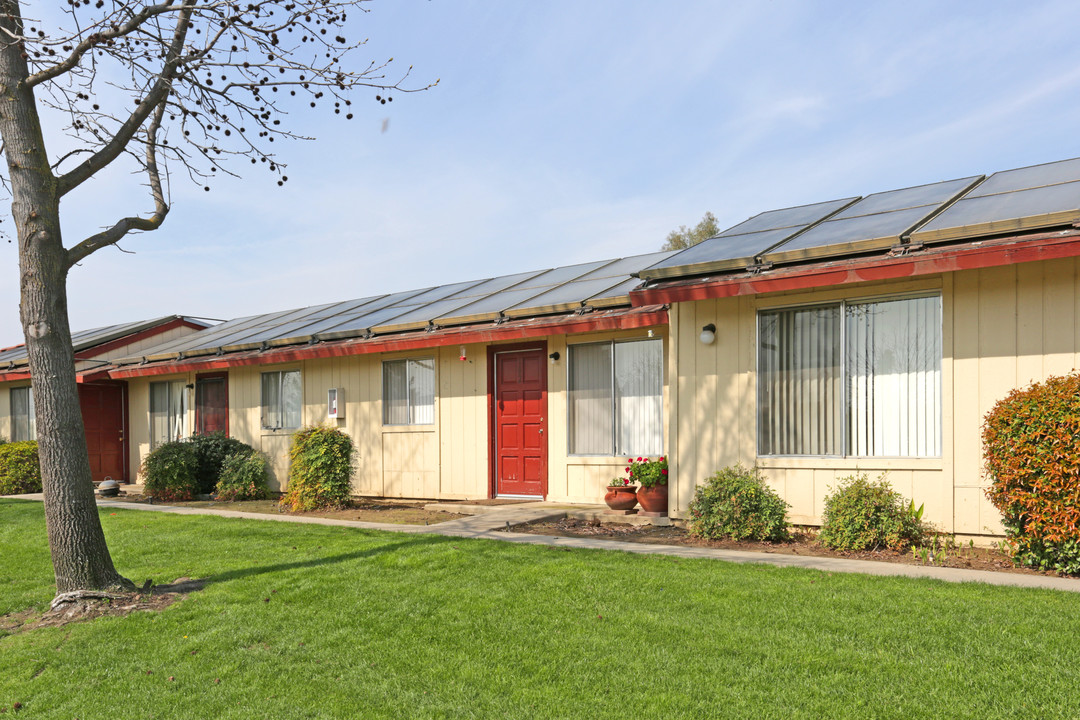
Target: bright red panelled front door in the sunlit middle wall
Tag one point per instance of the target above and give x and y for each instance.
(521, 407)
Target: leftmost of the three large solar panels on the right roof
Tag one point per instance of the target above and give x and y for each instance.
(738, 248)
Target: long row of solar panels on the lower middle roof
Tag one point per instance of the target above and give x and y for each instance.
(566, 289)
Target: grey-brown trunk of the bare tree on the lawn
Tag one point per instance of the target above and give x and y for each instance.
(80, 556)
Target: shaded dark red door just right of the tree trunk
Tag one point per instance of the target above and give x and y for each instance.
(103, 416)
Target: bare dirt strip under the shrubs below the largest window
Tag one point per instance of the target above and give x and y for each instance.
(804, 544)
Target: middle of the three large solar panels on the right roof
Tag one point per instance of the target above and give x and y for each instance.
(877, 222)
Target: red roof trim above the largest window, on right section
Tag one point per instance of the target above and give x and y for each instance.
(935, 261)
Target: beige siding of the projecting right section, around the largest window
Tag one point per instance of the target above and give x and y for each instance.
(1003, 329)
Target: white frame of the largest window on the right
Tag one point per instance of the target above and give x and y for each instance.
(844, 406)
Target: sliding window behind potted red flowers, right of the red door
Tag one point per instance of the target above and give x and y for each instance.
(616, 399)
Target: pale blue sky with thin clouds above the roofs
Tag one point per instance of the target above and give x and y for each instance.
(563, 132)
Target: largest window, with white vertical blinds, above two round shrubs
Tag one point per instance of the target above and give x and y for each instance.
(852, 379)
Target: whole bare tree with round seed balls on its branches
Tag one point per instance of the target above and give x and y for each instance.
(187, 85)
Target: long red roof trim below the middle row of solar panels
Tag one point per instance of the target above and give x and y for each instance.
(599, 321)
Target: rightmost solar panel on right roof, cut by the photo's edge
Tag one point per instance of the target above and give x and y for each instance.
(1022, 199)
